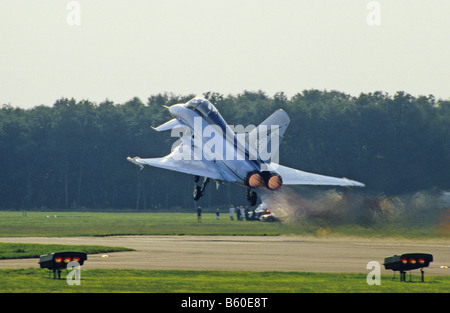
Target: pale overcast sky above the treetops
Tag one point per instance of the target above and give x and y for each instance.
(128, 48)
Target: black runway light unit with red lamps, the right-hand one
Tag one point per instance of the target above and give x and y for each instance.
(407, 262)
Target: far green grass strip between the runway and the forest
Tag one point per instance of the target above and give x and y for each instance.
(15, 223)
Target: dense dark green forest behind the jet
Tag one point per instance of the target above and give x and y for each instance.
(72, 154)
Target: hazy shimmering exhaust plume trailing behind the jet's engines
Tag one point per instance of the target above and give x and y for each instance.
(333, 207)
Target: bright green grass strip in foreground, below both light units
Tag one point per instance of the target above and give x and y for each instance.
(169, 281)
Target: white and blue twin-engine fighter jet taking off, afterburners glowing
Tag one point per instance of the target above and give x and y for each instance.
(210, 148)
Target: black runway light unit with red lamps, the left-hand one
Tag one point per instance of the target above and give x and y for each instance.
(57, 261)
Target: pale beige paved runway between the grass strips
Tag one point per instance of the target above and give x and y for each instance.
(245, 253)
